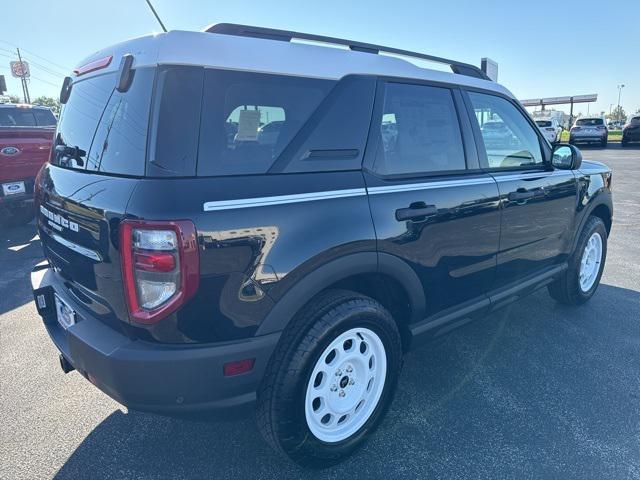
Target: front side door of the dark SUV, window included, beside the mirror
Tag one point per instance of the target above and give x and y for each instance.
(537, 202)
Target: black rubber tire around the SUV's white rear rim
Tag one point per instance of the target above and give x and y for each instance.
(280, 410)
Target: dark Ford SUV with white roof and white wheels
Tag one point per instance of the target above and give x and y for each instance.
(229, 217)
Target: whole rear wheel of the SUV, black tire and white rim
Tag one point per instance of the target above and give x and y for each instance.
(331, 379)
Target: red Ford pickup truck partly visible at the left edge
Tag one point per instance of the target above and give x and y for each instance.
(26, 134)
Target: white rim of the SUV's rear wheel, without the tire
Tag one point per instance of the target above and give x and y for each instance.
(346, 385)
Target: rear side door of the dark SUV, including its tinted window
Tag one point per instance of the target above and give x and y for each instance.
(431, 204)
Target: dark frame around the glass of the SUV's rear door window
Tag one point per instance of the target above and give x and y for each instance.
(374, 140)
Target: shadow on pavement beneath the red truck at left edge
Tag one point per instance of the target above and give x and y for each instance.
(20, 250)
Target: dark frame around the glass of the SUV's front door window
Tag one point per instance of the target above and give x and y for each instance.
(479, 141)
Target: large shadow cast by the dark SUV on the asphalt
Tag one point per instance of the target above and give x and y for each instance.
(536, 389)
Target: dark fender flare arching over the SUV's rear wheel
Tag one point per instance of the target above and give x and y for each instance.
(354, 264)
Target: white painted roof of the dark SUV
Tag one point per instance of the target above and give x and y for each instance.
(272, 56)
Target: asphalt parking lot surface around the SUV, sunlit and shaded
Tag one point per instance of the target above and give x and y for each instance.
(536, 390)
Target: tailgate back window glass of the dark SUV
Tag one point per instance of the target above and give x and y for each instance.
(103, 130)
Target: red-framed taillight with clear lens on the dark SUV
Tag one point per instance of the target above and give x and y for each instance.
(160, 267)
